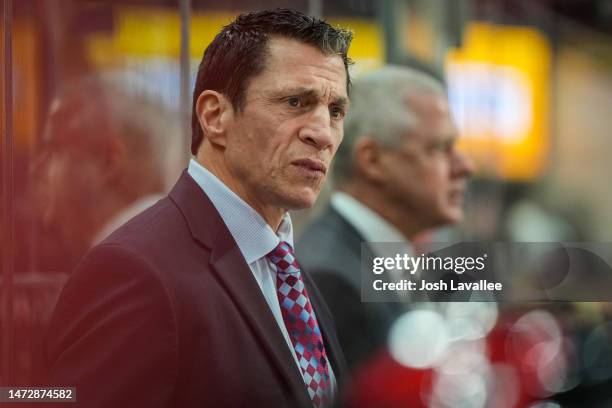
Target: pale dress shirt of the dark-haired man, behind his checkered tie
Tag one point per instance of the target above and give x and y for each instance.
(255, 239)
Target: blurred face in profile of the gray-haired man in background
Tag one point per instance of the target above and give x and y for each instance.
(426, 174)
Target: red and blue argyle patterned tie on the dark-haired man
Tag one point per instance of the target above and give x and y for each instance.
(301, 324)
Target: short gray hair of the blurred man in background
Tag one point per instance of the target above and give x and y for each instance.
(379, 109)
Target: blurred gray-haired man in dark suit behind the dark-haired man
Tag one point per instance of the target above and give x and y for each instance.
(397, 174)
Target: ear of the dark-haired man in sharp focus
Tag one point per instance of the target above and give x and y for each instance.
(214, 111)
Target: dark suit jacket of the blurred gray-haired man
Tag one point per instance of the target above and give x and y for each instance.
(330, 249)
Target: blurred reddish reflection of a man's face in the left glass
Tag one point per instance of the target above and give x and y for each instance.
(69, 174)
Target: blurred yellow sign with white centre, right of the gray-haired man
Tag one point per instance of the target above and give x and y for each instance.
(499, 93)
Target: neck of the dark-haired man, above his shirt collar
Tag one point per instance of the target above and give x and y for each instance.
(272, 215)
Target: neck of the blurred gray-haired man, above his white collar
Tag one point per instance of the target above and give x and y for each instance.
(377, 201)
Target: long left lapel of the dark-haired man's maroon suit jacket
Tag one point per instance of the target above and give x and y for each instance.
(233, 272)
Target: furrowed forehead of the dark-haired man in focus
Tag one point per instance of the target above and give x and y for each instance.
(293, 63)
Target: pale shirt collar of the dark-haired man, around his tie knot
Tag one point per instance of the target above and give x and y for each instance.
(253, 235)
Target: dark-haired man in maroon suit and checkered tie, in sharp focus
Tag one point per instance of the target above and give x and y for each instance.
(199, 300)
